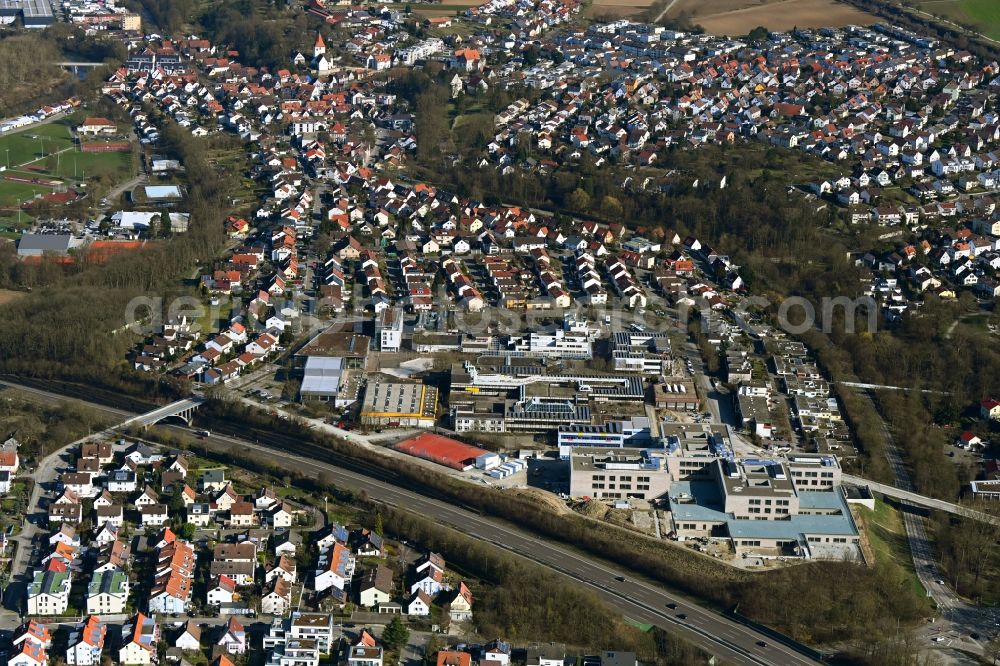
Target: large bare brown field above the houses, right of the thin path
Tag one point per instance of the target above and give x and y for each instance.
(738, 17)
